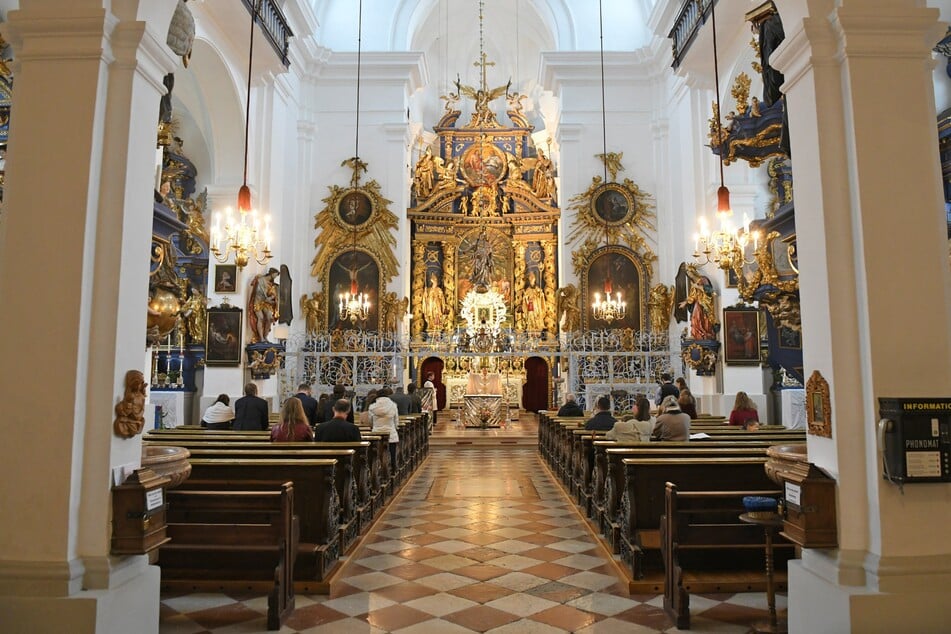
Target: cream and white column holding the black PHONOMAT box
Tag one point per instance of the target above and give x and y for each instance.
(875, 290)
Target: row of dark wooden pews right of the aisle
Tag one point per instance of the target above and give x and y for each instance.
(622, 489)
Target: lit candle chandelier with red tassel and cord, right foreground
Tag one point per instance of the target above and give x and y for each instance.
(724, 247)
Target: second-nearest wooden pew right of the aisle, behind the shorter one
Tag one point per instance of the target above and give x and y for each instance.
(642, 503)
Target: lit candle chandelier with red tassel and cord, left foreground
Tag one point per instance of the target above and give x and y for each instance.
(243, 234)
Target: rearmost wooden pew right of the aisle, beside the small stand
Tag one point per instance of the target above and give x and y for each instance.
(706, 548)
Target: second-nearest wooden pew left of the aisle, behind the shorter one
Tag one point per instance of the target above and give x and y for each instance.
(316, 505)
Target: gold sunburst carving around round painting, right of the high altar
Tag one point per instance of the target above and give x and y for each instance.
(621, 210)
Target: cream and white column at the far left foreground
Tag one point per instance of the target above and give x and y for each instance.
(73, 274)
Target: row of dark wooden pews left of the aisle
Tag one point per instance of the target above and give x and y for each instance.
(339, 488)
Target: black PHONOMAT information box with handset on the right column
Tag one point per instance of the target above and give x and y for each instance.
(914, 435)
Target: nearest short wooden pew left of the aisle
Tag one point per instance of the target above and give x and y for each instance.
(233, 539)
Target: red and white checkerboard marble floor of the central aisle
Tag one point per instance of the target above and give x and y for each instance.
(480, 540)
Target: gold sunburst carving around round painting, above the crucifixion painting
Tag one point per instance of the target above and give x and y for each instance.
(371, 229)
